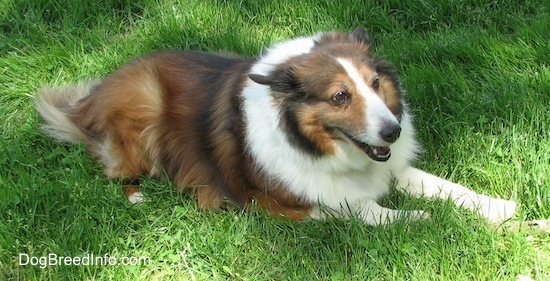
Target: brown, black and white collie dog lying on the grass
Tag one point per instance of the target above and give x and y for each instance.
(315, 127)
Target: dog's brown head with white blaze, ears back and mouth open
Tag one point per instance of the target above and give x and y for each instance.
(337, 91)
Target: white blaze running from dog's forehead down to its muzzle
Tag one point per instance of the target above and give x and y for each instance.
(377, 114)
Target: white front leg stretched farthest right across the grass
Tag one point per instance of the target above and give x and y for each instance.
(421, 184)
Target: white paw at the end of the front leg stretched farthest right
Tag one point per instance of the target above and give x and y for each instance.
(496, 210)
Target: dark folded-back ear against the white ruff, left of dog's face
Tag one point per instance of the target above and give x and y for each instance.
(281, 80)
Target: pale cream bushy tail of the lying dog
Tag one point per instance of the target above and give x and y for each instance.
(55, 105)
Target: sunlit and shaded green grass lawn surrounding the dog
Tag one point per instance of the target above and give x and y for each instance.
(477, 76)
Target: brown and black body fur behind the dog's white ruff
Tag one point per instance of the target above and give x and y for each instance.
(178, 112)
